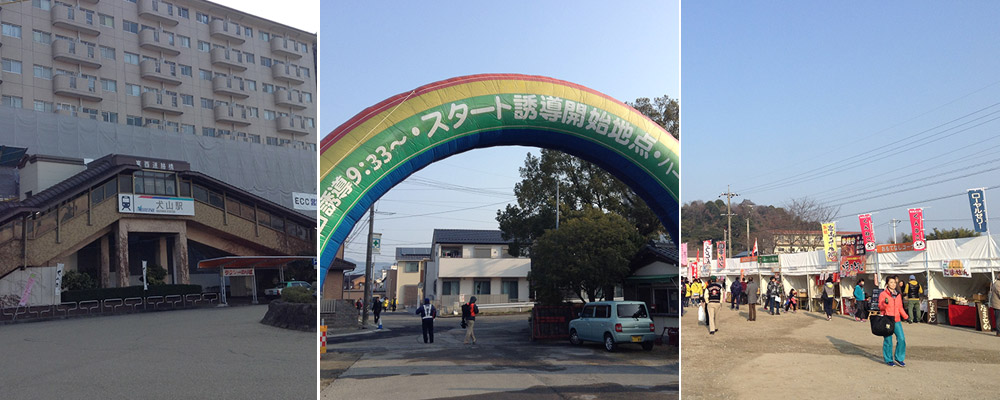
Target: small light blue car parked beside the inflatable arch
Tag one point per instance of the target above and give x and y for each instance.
(613, 323)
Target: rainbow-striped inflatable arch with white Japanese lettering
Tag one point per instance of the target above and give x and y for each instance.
(384, 144)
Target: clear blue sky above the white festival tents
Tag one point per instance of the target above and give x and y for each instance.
(777, 89)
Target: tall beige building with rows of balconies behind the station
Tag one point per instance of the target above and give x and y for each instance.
(231, 93)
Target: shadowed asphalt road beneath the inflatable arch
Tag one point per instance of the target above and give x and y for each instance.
(502, 365)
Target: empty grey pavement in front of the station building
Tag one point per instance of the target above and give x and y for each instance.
(188, 354)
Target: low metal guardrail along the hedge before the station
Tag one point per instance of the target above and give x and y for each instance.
(108, 306)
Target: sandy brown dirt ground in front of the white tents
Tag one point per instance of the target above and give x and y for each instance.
(803, 355)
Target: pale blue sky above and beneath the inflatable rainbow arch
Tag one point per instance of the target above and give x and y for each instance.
(373, 50)
